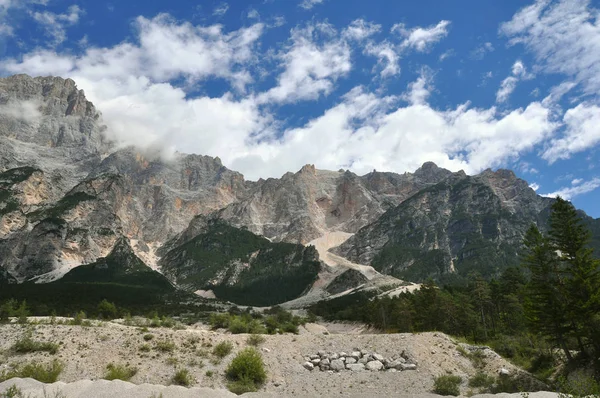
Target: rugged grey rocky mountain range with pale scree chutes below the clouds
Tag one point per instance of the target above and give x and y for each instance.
(75, 206)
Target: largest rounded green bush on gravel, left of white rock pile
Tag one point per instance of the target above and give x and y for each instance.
(246, 371)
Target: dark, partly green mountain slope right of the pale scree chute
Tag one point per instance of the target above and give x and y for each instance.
(460, 225)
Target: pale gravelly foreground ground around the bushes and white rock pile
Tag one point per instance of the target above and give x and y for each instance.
(86, 351)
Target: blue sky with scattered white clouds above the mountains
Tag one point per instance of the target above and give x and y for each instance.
(386, 85)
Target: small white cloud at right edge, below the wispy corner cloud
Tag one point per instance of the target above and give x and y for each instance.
(581, 133)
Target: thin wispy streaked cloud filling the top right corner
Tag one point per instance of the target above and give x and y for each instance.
(564, 37)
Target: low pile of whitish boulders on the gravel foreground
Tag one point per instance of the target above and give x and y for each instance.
(359, 360)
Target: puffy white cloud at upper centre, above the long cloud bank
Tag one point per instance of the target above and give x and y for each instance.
(315, 58)
